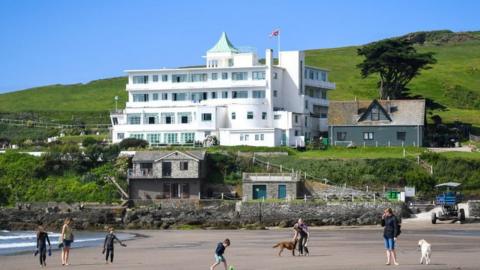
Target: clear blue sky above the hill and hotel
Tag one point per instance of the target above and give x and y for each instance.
(49, 42)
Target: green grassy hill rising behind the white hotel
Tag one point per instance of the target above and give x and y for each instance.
(453, 83)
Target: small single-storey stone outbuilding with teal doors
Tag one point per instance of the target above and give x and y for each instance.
(270, 186)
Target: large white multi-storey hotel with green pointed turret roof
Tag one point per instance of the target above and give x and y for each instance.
(234, 97)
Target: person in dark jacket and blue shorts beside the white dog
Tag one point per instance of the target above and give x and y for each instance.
(390, 232)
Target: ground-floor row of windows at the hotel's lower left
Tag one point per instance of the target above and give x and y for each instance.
(157, 138)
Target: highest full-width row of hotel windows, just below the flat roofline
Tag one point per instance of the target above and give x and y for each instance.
(198, 77)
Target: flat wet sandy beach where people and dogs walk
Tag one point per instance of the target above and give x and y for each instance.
(455, 246)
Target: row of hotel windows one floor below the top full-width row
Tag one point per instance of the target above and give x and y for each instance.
(197, 96)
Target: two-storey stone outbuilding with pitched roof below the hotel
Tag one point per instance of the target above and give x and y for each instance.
(159, 175)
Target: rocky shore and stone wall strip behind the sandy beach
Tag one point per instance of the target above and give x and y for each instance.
(195, 214)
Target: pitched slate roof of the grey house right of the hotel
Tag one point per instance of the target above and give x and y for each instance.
(401, 112)
